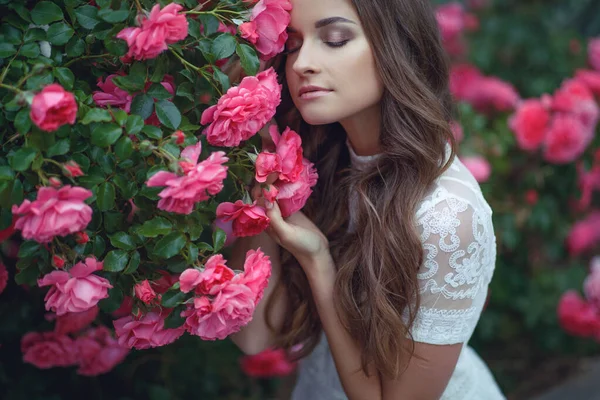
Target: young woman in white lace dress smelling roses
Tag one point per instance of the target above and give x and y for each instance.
(383, 276)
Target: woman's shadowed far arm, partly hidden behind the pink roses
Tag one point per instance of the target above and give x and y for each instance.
(256, 336)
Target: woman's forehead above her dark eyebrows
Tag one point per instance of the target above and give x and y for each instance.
(306, 12)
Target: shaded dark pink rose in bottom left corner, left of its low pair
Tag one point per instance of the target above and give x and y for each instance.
(48, 350)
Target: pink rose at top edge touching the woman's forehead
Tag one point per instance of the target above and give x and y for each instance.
(267, 27)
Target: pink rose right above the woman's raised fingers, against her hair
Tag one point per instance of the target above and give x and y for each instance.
(293, 195)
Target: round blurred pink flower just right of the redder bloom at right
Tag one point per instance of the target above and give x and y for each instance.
(565, 140)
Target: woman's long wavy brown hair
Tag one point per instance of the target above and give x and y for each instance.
(376, 289)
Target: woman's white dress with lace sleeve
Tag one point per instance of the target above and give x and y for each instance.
(455, 223)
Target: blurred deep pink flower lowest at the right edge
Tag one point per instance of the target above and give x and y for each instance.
(576, 316)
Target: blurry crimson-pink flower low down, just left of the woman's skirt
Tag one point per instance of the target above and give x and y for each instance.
(267, 364)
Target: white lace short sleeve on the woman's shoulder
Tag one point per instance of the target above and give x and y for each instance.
(459, 257)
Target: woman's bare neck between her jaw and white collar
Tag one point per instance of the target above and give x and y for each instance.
(363, 131)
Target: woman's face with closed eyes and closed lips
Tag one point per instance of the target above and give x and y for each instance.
(330, 67)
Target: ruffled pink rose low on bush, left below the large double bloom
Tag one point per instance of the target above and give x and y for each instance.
(145, 332)
